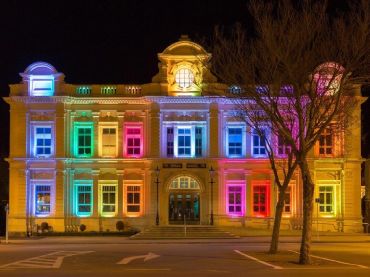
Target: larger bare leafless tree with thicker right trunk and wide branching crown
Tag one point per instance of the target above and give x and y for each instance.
(310, 64)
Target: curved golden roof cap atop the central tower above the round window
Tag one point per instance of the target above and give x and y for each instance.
(184, 47)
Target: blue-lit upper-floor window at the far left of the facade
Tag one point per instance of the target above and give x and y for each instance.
(43, 141)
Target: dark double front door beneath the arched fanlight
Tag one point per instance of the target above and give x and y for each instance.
(184, 207)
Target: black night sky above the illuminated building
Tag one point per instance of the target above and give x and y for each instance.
(102, 41)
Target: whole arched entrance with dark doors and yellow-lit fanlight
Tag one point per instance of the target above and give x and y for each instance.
(184, 201)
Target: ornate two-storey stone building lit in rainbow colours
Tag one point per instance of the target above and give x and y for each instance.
(87, 154)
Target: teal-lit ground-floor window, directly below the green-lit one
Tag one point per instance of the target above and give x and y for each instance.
(84, 199)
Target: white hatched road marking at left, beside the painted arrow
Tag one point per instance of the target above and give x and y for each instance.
(51, 260)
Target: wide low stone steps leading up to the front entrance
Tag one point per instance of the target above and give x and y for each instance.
(183, 232)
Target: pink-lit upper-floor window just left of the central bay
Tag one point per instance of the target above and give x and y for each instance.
(133, 141)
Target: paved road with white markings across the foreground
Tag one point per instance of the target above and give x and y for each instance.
(107, 257)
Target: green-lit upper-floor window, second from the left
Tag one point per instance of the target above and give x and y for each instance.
(83, 139)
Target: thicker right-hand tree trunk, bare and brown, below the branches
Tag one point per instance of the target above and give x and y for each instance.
(308, 191)
